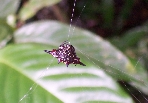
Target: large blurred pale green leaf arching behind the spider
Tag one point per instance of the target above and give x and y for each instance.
(94, 49)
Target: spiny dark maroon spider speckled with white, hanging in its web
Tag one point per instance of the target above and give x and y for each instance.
(66, 54)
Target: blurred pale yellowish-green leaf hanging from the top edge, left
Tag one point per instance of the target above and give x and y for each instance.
(33, 6)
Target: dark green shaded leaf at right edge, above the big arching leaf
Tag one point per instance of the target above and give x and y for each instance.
(131, 37)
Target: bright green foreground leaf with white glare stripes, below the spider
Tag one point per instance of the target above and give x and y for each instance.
(28, 75)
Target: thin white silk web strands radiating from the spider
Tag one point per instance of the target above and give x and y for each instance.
(71, 32)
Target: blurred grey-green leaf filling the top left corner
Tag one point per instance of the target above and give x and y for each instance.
(8, 7)
